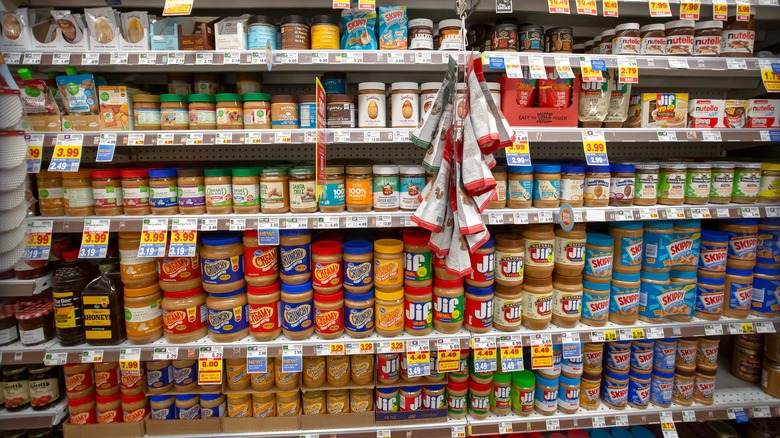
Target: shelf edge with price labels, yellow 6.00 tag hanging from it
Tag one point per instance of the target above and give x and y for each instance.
(314, 346)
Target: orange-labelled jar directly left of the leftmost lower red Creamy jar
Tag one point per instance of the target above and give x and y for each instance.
(143, 314)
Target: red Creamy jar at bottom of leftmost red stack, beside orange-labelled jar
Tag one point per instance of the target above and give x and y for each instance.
(184, 316)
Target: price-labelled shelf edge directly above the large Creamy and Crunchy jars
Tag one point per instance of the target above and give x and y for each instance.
(506, 216)
